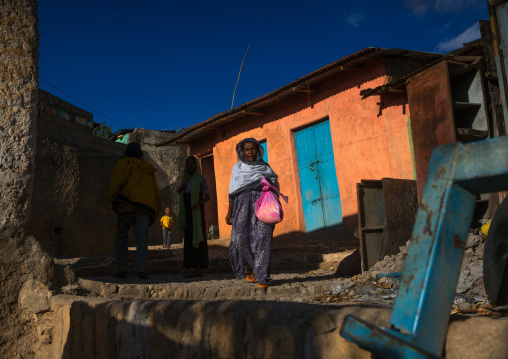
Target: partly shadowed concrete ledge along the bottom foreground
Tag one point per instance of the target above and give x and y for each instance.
(99, 328)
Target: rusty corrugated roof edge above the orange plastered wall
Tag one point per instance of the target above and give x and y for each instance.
(194, 132)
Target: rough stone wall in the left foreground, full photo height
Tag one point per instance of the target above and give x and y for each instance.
(21, 256)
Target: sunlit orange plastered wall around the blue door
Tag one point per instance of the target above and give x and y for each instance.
(366, 146)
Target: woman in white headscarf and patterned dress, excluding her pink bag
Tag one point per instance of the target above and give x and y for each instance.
(251, 238)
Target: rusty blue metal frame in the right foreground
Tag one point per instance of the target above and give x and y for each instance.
(457, 174)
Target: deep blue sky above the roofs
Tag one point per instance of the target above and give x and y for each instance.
(164, 65)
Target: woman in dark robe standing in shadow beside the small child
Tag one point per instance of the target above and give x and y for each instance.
(193, 194)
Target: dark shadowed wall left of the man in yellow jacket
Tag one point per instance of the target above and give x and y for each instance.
(72, 172)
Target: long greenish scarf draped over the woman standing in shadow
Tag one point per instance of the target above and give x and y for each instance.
(197, 224)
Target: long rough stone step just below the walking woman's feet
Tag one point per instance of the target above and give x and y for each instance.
(215, 286)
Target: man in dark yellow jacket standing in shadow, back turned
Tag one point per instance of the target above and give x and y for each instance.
(136, 199)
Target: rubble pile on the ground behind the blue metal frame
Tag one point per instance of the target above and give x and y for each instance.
(380, 284)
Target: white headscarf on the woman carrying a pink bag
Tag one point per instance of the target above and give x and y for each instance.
(247, 175)
